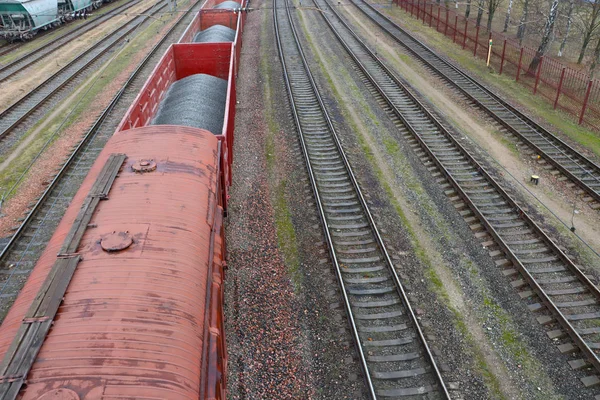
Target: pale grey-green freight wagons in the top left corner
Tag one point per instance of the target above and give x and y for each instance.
(23, 19)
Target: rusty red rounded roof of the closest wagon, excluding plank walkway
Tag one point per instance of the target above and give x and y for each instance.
(132, 322)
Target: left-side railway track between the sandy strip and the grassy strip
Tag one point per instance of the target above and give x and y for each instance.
(19, 112)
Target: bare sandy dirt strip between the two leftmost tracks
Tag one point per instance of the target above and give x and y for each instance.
(27, 79)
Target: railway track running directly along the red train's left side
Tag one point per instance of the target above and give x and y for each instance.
(22, 251)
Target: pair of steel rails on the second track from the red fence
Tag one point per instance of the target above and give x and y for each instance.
(417, 133)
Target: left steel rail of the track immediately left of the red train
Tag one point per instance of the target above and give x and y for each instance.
(80, 149)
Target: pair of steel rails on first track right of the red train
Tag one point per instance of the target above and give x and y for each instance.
(326, 221)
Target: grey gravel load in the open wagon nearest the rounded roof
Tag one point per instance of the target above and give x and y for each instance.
(197, 101)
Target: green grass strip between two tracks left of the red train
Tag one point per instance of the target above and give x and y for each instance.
(70, 115)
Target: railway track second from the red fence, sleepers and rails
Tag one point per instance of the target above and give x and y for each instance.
(539, 269)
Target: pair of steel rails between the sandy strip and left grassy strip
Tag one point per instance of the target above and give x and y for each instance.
(21, 103)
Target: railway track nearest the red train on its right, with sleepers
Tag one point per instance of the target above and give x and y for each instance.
(393, 351)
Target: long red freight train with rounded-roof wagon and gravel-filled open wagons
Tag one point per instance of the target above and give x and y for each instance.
(126, 301)
